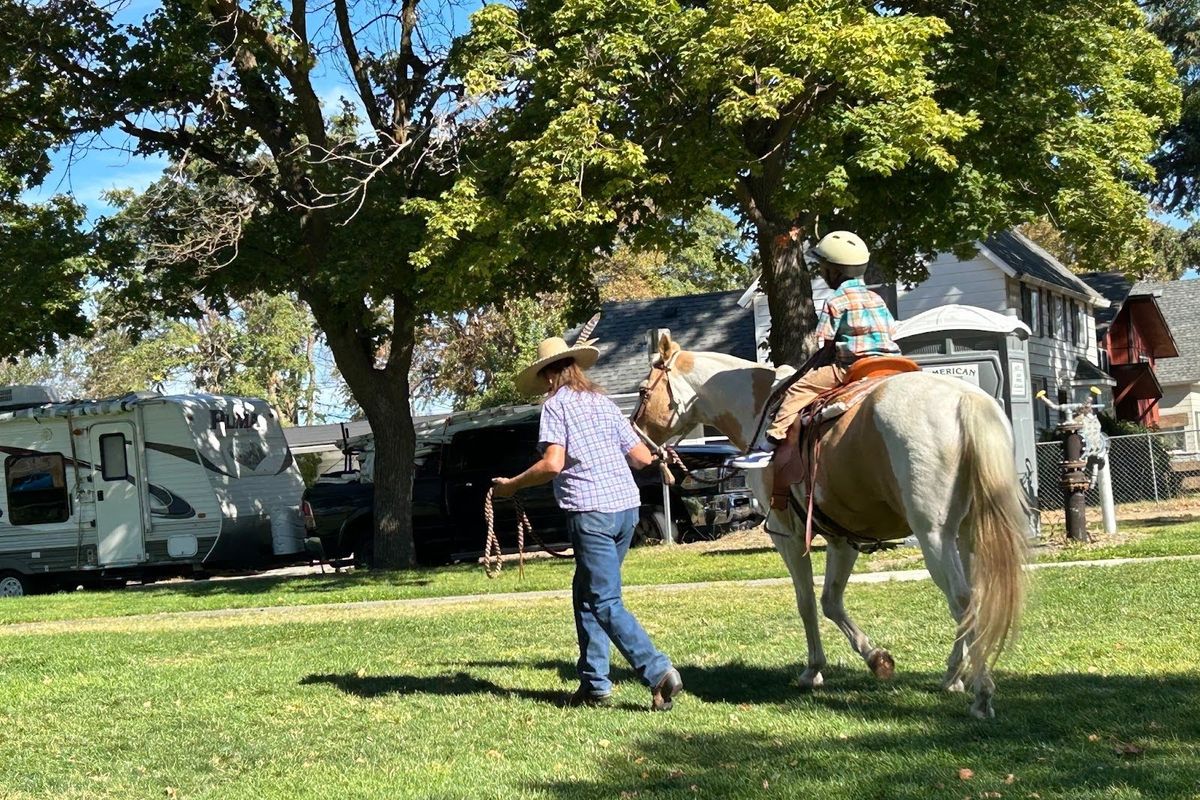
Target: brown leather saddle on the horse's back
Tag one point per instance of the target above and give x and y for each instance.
(796, 459)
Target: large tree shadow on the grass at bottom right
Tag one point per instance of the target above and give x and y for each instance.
(1060, 736)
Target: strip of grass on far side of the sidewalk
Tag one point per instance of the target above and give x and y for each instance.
(751, 557)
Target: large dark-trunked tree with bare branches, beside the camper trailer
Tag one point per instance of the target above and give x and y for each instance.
(314, 151)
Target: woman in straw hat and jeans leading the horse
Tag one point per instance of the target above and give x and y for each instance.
(587, 450)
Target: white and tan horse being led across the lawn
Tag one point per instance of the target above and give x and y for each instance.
(922, 454)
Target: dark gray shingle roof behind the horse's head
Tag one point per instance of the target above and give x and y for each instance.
(705, 322)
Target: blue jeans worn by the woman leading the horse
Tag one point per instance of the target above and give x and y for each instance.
(601, 540)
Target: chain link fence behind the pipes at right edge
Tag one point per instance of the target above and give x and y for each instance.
(1150, 471)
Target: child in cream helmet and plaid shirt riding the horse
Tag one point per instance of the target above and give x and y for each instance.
(855, 323)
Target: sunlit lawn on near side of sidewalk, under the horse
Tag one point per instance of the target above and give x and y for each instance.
(1097, 700)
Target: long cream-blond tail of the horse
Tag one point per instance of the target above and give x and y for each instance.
(998, 522)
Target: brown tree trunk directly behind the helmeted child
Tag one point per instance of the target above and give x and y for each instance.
(789, 290)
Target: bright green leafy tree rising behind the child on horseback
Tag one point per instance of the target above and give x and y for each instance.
(923, 125)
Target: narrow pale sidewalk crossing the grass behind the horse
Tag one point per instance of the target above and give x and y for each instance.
(297, 613)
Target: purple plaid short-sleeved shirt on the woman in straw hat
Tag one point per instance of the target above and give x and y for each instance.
(596, 436)
